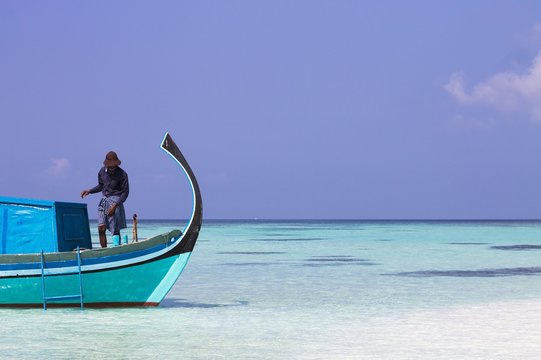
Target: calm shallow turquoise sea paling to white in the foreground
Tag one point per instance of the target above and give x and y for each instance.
(318, 290)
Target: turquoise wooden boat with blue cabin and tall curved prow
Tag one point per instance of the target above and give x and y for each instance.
(135, 274)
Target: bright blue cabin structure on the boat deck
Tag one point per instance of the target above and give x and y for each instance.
(32, 226)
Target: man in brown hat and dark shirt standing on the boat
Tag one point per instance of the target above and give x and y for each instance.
(113, 183)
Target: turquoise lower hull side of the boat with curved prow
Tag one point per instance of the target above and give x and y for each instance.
(143, 284)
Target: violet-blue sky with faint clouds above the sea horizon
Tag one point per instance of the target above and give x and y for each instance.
(303, 109)
